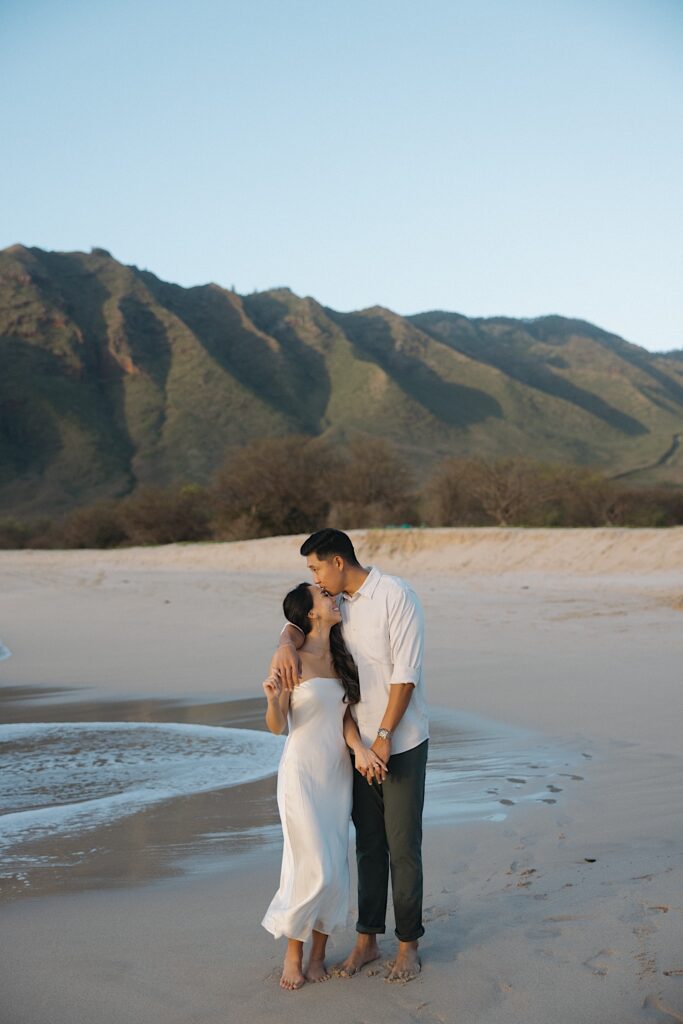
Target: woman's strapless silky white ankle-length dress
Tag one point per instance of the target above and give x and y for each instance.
(315, 784)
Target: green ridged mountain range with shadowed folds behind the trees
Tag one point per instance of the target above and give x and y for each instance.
(114, 379)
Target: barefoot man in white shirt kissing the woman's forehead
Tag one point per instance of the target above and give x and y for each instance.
(383, 629)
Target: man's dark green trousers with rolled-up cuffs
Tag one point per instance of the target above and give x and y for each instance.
(389, 837)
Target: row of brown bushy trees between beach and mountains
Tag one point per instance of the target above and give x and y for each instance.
(296, 485)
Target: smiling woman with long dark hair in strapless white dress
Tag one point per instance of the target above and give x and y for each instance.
(315, 782)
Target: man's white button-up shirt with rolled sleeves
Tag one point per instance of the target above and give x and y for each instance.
(383, 626)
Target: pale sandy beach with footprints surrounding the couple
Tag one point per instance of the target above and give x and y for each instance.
(566, 906)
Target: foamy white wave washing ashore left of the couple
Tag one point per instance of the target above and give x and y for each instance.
(70, 778)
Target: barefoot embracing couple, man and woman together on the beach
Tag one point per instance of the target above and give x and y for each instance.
(348, 679)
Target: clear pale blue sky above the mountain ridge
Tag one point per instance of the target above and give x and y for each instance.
(490, 157)
